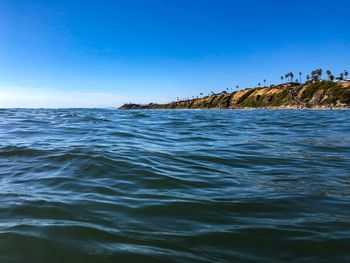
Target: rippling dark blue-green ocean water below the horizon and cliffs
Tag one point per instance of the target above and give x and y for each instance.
(94, 185)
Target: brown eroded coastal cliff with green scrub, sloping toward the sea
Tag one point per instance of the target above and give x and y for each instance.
(323, 94)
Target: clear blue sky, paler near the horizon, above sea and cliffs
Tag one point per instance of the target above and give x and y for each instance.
(103, 53)
